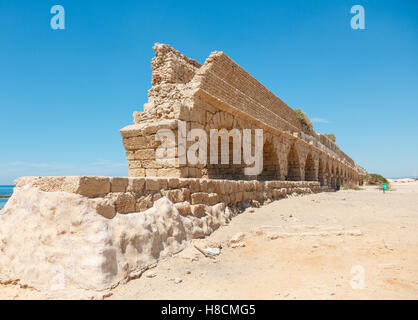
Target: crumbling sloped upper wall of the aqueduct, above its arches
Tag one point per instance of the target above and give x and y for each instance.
(184, 89)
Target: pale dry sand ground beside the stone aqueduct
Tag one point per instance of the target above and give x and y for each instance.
(296, 248)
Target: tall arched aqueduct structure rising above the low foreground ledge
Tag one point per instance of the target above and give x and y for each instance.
(221, 95)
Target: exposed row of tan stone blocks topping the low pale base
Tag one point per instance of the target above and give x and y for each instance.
(126, 195)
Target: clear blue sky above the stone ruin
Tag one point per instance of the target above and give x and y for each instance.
(64, 94)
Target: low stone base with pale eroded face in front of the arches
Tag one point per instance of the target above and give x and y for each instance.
(68, 236)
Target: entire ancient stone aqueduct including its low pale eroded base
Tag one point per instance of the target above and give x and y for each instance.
(92, 233)
